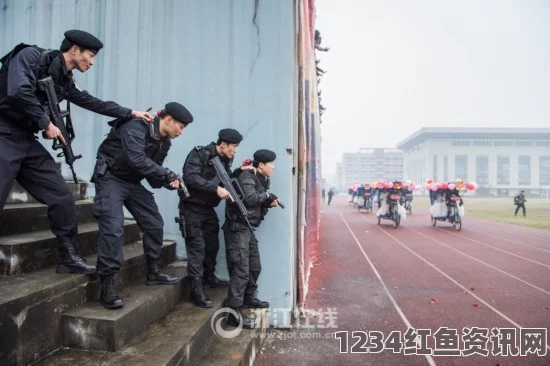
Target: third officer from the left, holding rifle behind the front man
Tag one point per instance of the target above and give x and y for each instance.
(197, 211)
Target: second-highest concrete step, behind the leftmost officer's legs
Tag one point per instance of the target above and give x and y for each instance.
(30, 217)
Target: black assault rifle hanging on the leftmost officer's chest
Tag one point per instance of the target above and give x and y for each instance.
(58, 117)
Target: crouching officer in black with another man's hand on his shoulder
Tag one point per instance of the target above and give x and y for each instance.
(134, 150)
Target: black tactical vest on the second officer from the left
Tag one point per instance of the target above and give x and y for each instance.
(156, 149)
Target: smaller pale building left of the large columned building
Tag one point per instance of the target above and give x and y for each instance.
(369, 165)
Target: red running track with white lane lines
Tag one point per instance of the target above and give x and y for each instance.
(385, 279)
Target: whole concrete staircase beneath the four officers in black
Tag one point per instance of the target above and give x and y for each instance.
(53, 319)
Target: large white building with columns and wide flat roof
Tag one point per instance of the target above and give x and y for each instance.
(502, 161)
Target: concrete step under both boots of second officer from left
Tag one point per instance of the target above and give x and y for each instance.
(91, 326)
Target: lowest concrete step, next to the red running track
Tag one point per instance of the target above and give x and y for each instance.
(240, 349)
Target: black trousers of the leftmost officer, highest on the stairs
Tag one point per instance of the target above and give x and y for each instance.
(24, 159)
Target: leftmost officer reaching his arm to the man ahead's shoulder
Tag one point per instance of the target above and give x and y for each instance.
(22, 115)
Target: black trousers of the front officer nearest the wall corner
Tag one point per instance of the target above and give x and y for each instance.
(243, 263)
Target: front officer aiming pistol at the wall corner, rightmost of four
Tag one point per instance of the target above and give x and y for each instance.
(241, 245)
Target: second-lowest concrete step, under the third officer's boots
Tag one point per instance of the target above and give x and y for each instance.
(180, 338)
